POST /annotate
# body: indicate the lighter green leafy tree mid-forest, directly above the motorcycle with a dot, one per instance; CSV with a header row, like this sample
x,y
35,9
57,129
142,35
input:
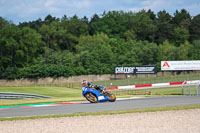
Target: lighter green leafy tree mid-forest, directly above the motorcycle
x,y
95,54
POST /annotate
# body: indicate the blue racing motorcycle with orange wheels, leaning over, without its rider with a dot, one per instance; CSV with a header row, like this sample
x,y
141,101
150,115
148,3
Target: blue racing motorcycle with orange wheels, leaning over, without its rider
x,y
94,96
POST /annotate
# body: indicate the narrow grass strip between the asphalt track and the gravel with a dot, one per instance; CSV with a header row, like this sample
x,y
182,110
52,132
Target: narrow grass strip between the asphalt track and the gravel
x,y
170,108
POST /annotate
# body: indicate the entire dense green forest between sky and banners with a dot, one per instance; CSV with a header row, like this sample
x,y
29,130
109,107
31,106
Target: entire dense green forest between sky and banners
x,y
68,46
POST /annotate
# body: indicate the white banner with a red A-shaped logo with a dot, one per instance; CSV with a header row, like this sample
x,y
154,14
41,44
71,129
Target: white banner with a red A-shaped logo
x,y
180,65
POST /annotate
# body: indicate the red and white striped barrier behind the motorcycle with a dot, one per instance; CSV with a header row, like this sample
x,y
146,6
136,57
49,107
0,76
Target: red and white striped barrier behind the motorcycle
x,y
152,85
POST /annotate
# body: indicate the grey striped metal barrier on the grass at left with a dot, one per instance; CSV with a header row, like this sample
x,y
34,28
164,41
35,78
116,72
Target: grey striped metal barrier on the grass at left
x,y
10,96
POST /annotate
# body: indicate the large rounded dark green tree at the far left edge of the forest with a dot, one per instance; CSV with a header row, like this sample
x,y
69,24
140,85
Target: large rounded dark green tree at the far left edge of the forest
x,y
18,47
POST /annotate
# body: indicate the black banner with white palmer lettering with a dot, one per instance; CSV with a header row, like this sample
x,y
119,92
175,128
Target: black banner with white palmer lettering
x,y
135,69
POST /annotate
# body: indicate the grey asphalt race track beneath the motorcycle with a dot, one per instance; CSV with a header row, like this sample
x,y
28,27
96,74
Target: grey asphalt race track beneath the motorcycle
x,y
139,103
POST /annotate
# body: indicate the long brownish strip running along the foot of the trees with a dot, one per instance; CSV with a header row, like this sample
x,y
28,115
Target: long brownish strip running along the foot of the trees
x,y
91,78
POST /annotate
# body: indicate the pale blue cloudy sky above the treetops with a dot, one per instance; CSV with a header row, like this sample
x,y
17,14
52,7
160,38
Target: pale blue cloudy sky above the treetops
x,y
29,10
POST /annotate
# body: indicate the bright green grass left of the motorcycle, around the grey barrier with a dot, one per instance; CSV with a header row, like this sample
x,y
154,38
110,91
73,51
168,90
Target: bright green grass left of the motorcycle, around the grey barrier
x,y
58,94
